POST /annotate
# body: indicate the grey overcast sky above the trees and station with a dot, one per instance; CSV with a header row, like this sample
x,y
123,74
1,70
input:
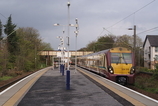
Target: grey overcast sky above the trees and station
x,y
116,16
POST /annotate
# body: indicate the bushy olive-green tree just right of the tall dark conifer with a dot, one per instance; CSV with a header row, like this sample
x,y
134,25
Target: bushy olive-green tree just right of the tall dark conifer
x,y
30,46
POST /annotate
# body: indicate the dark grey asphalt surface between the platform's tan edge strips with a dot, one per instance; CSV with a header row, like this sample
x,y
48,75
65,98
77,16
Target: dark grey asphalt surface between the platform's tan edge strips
x,y
50,90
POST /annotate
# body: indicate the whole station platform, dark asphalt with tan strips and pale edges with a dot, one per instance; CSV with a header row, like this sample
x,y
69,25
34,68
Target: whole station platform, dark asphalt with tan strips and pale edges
x,y
47,87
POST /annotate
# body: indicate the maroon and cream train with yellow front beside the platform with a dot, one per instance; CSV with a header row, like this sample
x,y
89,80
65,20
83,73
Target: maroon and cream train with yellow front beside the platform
x,y
117,64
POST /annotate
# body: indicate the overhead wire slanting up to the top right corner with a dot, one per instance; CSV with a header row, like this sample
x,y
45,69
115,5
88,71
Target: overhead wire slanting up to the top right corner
x,y
130,14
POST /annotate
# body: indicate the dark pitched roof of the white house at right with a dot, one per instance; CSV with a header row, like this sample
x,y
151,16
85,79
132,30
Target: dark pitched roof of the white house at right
x,y
153,40
